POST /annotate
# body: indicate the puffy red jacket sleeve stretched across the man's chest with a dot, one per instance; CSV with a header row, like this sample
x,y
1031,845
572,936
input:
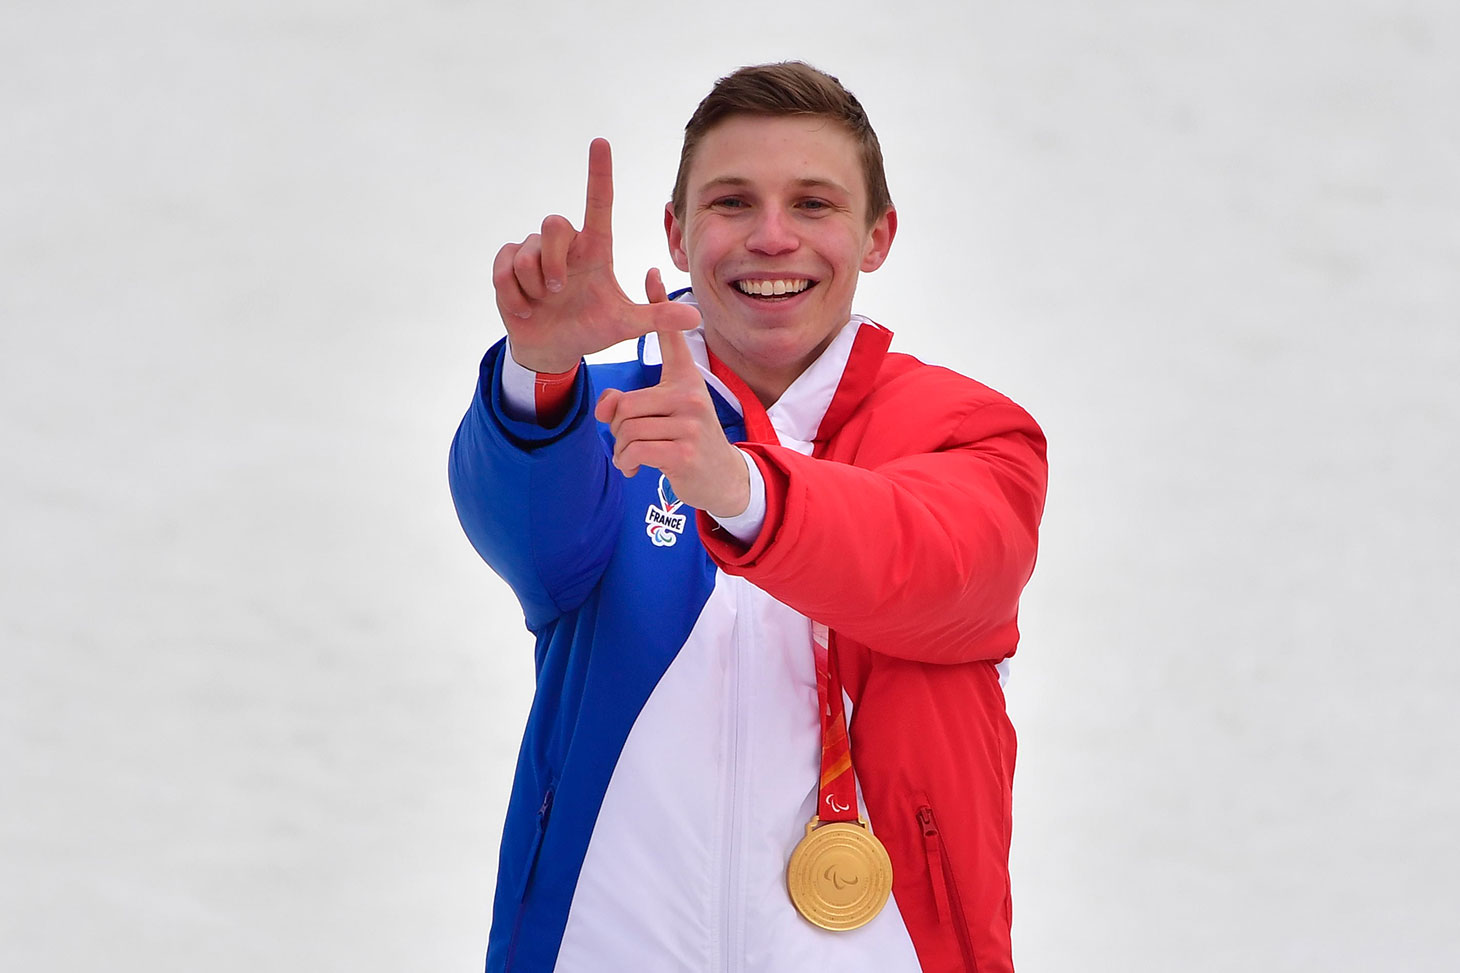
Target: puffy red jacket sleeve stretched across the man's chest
x,y
921,550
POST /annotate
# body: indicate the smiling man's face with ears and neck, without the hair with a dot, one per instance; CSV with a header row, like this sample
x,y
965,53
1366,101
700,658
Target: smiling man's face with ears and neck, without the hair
x,y
780,202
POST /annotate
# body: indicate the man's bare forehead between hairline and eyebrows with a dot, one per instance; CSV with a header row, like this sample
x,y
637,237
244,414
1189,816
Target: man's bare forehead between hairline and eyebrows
x,y
773,151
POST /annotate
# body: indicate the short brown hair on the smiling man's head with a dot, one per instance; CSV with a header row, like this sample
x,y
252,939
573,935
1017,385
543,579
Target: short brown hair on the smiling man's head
x,y
786,88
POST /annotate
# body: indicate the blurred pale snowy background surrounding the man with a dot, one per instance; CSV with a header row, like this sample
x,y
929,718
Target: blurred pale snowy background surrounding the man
x,y
259,699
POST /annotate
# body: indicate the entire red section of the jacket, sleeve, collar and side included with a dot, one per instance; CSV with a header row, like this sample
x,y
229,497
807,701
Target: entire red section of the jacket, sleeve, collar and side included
x,y
912,534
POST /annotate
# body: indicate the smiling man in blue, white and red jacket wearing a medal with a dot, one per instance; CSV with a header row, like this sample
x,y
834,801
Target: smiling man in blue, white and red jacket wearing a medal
x,y
718,546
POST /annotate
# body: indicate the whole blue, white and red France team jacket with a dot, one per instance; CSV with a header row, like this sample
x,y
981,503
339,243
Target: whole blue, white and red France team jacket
x,y
672,752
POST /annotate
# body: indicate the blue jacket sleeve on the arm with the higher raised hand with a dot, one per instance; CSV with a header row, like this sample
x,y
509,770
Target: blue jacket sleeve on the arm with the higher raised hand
x,y
538,503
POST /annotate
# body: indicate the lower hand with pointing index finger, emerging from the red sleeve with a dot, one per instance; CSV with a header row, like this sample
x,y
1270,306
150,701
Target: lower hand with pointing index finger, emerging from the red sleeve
x,y
674,429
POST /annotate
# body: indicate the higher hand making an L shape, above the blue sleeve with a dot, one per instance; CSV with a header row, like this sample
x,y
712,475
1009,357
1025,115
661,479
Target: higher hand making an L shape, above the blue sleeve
x,y
557,291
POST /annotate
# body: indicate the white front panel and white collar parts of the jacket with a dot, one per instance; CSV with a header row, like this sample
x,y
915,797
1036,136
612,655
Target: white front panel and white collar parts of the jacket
x,y
716,784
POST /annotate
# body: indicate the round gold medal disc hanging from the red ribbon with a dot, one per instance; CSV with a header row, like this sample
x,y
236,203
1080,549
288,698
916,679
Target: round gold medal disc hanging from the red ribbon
x,y
839,876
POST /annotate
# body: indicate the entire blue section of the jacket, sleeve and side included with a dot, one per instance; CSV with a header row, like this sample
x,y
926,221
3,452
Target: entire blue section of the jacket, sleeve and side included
x,y
610,610
